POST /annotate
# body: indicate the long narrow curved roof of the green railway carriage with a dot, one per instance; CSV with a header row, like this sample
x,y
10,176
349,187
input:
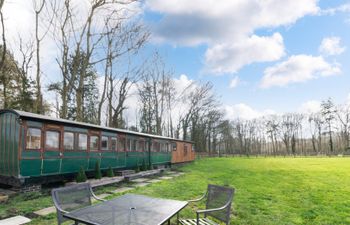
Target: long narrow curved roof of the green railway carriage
x,y
28,115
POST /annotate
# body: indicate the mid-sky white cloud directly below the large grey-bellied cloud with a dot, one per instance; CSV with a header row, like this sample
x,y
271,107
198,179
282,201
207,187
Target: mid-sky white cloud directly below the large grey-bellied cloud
x,y
230,57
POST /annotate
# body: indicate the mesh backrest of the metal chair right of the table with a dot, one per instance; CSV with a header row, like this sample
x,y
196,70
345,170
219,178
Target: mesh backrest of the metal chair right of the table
x,y
217,197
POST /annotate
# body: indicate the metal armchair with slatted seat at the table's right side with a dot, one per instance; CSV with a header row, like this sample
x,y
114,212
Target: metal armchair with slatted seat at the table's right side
x,y
218,206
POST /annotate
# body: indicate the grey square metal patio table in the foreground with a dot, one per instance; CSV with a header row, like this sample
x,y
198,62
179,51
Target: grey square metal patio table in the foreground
x,y
129,209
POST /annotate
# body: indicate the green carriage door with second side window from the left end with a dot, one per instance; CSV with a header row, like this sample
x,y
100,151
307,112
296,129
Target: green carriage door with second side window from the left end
x,y
52,149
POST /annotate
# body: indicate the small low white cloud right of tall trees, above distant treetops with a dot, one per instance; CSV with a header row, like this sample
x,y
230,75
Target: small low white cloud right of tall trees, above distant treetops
x,y
244,111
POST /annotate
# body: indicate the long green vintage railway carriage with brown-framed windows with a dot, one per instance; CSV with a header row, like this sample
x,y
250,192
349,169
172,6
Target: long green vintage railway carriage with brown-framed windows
x,y
38,149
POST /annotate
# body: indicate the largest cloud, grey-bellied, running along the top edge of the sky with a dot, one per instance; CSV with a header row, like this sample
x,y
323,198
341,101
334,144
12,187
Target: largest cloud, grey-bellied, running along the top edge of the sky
x,y
192,22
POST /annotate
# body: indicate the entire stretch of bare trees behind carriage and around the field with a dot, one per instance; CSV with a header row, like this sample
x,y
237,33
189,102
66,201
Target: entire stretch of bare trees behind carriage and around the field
x,y
102,63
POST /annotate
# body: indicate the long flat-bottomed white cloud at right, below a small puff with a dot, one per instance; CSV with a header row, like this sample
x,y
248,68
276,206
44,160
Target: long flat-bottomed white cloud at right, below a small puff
x,y
298,69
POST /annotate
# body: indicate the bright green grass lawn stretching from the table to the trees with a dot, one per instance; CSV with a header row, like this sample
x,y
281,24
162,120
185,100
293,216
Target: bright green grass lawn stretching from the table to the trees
x,y
268,190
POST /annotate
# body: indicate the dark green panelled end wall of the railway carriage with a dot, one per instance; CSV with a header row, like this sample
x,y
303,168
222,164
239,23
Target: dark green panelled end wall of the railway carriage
x,y
9,138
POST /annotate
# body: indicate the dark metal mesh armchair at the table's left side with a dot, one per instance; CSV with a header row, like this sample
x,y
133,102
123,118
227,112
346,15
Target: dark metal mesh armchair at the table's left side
x,y
72,197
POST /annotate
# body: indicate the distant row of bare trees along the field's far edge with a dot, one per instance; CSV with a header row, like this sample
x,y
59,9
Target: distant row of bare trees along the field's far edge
x,y
325,132
